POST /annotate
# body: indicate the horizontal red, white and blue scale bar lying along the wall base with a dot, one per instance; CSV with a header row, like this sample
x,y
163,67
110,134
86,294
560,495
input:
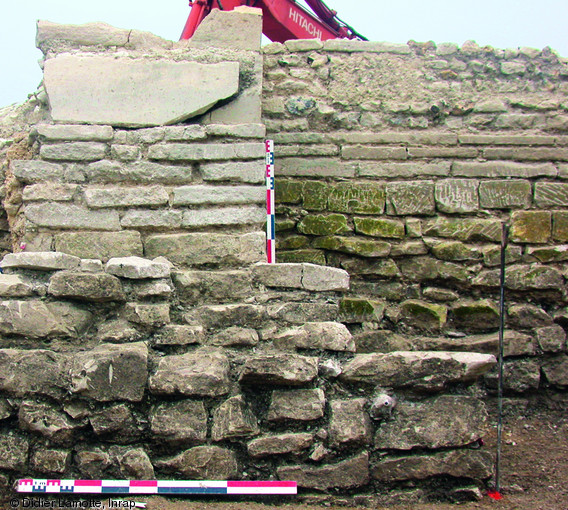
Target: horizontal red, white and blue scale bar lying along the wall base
x,y
44,486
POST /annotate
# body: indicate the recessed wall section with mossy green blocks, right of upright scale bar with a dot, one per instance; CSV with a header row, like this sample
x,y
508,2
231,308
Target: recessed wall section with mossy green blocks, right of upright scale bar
x,y
400,164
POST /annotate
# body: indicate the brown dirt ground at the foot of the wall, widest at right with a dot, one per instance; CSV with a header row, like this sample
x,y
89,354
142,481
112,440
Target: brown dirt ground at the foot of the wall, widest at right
x,y
534,471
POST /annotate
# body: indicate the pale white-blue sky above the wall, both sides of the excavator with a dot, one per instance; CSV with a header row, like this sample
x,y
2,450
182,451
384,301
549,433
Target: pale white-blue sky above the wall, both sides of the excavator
x,y
499,23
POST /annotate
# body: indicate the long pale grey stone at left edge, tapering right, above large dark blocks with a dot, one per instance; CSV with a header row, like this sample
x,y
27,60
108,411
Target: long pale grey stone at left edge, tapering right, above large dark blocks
x,y
38,319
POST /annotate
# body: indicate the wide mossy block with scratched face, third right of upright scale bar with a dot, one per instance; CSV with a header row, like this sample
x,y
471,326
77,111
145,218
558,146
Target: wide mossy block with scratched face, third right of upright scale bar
x,y
361,198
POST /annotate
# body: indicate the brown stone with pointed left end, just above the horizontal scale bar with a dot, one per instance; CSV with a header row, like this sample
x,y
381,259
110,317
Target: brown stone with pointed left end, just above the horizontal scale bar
x,y
203,463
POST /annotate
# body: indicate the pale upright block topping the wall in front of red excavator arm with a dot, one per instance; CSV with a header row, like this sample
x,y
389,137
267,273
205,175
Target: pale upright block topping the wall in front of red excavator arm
x,y
239,29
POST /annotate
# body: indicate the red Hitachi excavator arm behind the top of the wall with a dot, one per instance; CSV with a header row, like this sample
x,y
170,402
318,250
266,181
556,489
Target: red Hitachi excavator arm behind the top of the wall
x,y
282,19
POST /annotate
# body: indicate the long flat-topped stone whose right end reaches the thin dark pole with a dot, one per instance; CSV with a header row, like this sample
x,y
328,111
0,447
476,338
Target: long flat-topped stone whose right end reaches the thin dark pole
x,y
421,369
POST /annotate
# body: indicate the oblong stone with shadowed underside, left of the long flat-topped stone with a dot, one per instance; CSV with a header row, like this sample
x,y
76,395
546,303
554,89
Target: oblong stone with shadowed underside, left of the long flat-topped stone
x,y
278,368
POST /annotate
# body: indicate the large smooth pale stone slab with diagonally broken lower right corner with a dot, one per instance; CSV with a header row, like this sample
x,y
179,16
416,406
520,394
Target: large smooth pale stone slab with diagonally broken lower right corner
x,y
134,93
